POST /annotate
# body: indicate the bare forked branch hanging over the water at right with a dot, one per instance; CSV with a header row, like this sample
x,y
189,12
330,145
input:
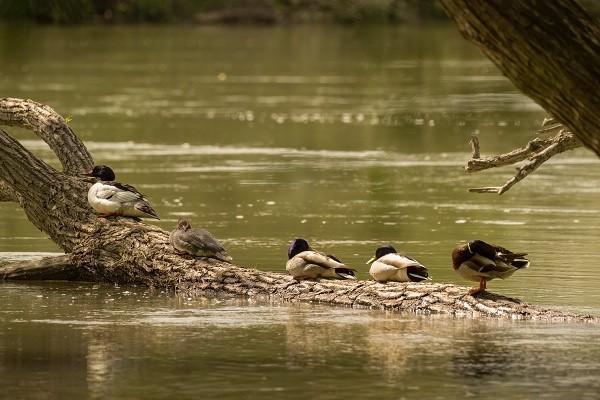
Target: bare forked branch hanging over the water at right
x,y
536,152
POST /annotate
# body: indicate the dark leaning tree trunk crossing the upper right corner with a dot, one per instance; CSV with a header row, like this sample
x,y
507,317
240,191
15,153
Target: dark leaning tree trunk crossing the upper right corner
x,y
550,50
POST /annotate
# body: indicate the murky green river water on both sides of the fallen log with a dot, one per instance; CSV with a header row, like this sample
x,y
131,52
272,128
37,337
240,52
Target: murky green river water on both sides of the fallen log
x,y
347,136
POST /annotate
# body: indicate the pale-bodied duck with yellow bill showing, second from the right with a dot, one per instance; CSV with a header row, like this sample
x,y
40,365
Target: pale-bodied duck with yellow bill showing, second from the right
x,y
388,265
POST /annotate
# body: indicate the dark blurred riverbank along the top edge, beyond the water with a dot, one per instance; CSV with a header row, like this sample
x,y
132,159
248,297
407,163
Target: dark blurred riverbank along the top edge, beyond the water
x,y
222,11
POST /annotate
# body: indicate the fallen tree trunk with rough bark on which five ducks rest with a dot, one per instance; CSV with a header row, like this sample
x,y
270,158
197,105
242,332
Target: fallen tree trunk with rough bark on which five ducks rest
x,y
126,251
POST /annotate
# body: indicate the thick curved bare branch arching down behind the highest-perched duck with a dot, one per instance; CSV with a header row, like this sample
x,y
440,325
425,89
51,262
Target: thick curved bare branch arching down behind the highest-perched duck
x,y
51,128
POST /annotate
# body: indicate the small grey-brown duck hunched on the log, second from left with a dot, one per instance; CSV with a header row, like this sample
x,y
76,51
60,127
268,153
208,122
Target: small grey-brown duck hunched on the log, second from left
x,y
197,242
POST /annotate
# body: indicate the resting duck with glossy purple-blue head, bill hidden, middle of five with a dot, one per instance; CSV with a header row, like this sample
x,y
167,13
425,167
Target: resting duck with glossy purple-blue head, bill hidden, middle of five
x,y
306,263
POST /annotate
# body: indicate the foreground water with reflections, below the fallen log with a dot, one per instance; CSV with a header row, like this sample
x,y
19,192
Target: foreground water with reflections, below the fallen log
x,y
103,341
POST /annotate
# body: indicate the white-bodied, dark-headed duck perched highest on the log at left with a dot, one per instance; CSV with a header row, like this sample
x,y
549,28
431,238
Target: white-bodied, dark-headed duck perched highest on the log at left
x,y
113,198
